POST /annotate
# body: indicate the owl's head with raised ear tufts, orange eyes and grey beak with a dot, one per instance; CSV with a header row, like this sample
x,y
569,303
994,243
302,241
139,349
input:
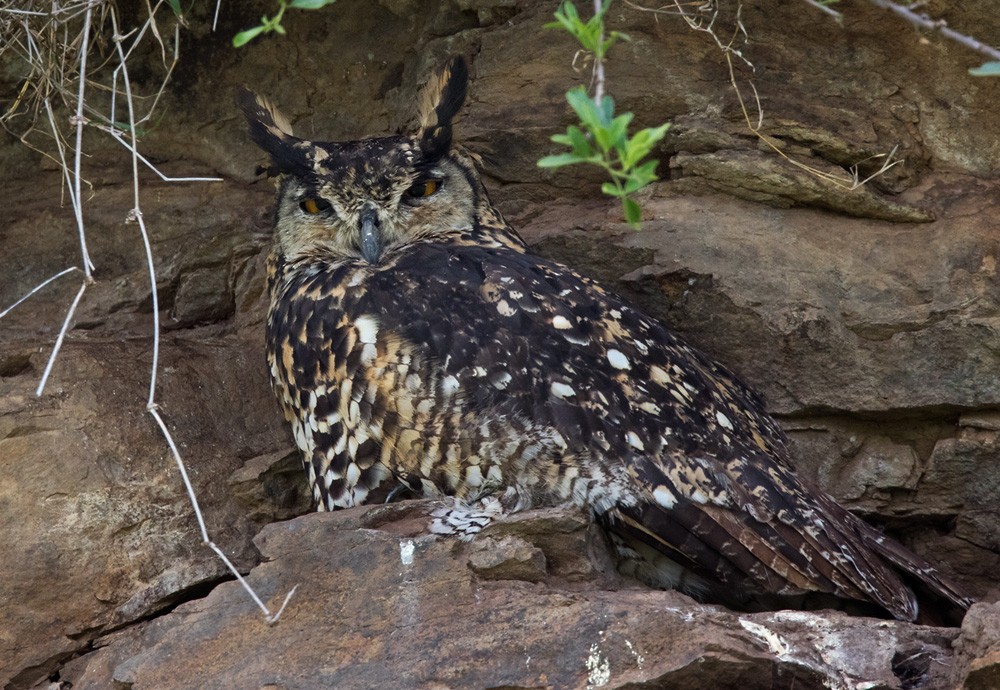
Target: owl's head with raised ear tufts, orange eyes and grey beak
x,y
360,199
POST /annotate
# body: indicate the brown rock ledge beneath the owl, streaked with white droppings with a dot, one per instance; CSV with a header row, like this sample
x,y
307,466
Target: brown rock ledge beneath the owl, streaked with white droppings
x,y
376,610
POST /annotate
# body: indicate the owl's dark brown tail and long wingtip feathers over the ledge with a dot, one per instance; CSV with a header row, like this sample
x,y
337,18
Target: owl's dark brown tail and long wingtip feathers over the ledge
x,y
831,552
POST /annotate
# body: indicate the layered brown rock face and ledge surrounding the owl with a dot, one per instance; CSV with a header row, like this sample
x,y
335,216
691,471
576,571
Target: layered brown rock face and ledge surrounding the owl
x,y
868,318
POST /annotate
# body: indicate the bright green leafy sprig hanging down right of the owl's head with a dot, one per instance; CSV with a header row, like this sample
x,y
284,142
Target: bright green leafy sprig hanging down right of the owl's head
x,y
601,138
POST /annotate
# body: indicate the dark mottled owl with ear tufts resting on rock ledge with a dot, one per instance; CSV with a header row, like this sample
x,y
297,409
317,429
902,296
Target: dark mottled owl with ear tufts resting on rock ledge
x,y
415,343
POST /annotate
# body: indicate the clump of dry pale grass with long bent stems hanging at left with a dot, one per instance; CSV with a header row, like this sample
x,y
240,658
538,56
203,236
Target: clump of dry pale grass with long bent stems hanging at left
x,y
56,46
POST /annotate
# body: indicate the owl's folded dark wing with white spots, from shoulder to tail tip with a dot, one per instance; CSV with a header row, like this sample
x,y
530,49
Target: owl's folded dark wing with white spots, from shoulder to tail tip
x,y
710,483
